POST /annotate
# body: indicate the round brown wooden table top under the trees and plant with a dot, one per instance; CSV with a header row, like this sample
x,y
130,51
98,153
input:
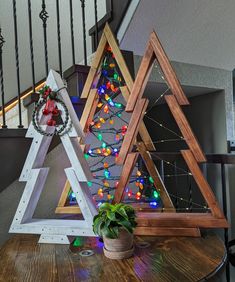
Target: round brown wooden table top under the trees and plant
x,y
161,259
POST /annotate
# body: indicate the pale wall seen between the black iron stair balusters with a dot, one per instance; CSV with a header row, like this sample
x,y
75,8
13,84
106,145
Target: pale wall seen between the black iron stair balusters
x,y
6,22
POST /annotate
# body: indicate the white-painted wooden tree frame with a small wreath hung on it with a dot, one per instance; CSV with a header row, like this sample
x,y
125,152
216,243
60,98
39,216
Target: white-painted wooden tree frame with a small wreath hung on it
x,y
55,230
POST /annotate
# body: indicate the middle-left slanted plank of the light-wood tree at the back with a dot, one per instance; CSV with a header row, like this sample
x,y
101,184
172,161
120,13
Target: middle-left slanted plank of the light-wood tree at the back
x,y
89,110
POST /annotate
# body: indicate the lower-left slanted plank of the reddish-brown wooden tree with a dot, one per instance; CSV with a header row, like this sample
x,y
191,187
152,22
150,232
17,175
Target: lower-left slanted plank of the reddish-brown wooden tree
x,y
125,177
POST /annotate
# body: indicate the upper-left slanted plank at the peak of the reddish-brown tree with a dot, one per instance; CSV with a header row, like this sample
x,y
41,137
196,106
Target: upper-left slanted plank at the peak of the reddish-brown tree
x,y
141,78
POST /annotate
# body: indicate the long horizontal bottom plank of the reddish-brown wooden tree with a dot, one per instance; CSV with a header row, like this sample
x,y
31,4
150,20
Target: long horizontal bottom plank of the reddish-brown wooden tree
x,y
180,220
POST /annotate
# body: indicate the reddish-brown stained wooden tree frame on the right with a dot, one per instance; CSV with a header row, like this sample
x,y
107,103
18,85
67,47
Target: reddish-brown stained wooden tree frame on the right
x,y
161,223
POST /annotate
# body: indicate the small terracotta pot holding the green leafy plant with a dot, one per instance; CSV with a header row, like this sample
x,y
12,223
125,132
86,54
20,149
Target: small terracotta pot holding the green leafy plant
x,y
119,248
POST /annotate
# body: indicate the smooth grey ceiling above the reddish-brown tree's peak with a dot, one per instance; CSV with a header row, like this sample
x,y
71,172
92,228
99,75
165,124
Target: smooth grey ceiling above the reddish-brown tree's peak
x,y
200,32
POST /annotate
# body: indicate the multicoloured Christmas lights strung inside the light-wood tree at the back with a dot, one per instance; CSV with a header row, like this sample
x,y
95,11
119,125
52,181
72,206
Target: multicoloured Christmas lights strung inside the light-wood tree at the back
x,y
109,112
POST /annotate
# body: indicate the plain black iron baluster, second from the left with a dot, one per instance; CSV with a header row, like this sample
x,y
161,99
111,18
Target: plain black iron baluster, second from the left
x,y
17,62
